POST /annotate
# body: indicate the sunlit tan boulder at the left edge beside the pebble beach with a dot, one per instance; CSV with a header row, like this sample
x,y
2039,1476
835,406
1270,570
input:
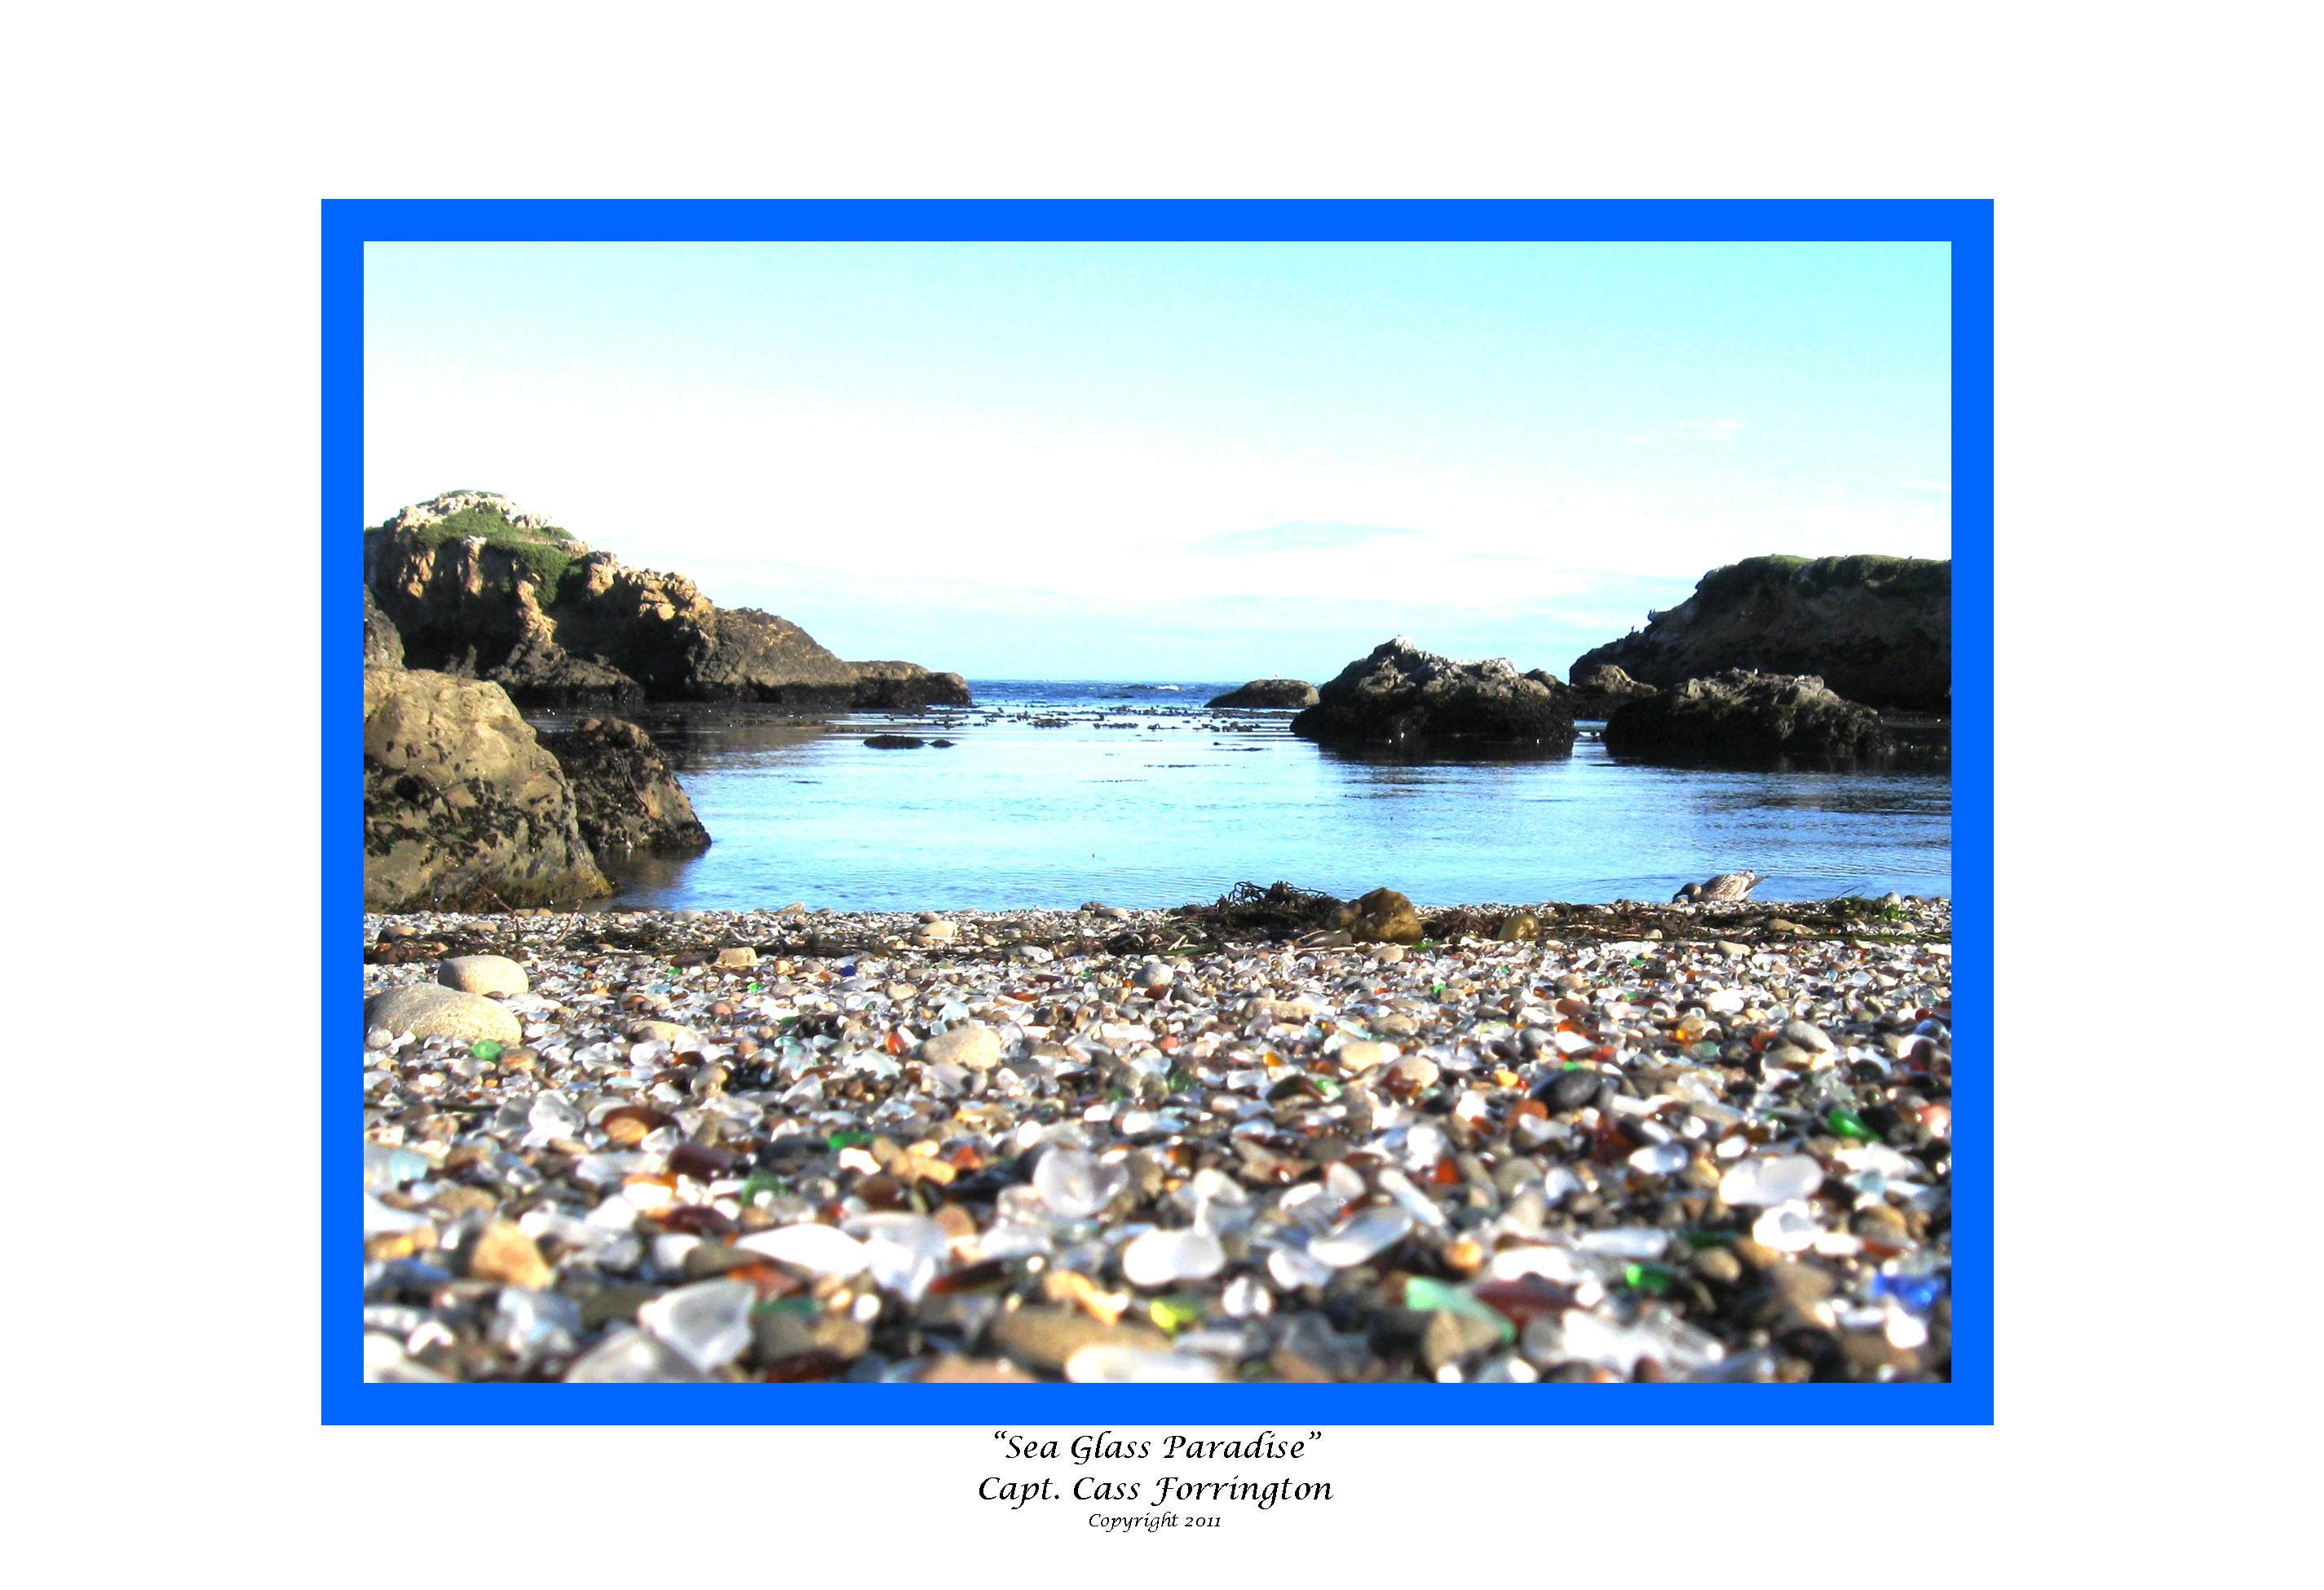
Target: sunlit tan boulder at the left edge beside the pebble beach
x,y
461,803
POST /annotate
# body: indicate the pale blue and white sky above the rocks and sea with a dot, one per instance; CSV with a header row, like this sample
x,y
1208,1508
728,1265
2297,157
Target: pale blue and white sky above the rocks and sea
x,y
1177,461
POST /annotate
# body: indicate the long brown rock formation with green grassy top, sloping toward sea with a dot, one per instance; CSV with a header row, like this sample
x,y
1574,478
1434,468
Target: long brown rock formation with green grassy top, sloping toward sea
x,y
478,587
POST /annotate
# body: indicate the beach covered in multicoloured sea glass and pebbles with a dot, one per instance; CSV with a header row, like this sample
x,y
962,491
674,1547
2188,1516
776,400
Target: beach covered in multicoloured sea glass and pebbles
x,y
1656,1143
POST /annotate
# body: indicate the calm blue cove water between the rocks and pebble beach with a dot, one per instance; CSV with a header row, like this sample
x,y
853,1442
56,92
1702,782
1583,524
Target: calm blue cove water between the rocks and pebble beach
x,y
1147,798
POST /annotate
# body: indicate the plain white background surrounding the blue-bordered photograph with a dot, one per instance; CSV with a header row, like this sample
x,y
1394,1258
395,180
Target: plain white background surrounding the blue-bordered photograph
x,y
2156,508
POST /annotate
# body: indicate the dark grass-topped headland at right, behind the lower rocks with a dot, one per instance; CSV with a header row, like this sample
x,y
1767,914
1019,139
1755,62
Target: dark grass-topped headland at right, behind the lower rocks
x,y
1879,631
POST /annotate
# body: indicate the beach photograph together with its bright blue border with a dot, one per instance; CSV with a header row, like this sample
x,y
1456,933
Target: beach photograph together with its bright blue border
x,y
1191,989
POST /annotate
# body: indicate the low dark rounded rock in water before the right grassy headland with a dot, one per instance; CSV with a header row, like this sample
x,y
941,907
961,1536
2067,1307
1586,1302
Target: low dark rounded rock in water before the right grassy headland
x,y
1742,719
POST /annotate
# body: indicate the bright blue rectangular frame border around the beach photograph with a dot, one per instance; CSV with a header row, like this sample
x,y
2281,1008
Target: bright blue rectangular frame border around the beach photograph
x,y
1965,224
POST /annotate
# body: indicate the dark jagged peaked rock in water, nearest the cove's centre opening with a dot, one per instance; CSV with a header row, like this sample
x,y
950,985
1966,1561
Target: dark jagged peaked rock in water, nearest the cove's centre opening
x,y
1414,701
